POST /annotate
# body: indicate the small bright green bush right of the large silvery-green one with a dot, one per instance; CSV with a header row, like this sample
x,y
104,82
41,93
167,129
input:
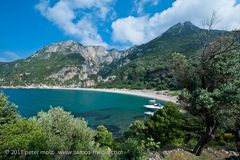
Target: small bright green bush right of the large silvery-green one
x,y
103,137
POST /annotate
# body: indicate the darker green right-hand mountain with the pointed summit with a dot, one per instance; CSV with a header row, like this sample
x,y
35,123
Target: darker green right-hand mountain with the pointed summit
x,y
146,66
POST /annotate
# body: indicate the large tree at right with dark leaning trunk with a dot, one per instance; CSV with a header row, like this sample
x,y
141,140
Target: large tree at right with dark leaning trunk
x,y
211,81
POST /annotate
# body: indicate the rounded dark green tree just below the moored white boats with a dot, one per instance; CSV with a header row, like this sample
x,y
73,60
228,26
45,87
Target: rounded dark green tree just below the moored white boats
x,y
167,126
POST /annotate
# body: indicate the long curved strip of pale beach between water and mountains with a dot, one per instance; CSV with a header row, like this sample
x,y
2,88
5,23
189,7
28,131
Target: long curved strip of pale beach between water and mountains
x,y
159,95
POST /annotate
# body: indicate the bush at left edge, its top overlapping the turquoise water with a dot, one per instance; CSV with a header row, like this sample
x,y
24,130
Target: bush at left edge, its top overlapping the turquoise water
x,y
8,111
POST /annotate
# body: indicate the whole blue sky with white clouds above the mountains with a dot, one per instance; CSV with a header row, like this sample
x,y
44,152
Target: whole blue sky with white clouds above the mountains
x,y
28,25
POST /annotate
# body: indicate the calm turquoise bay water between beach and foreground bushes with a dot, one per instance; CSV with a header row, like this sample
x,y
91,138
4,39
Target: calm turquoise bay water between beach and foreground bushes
x,y
115,111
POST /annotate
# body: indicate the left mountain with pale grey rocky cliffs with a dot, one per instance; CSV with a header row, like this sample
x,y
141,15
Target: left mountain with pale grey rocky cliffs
x,y
64,63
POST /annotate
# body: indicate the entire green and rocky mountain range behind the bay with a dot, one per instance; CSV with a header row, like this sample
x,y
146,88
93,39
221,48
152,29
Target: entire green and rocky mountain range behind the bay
x,y
72,64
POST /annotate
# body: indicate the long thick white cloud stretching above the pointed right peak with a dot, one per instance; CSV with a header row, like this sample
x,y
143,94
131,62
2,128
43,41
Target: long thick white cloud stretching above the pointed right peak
x,y
137,30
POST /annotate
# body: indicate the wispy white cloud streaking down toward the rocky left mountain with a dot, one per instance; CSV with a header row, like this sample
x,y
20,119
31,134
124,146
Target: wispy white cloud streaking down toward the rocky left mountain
x,y
70,16
